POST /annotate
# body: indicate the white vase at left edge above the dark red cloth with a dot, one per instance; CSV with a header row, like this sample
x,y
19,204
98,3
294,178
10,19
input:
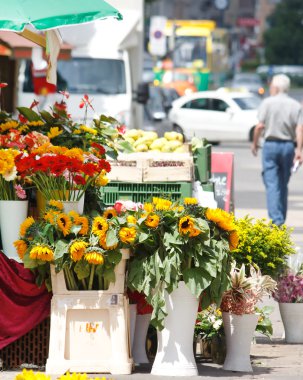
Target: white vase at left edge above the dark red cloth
x,y
12,214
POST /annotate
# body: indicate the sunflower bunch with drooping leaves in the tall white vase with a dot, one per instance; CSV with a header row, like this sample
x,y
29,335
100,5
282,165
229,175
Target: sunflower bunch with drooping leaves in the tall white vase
x,y
181,241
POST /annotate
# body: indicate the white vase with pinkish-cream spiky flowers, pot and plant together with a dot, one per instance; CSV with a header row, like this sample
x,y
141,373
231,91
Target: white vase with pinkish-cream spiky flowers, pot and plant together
x,y
239,315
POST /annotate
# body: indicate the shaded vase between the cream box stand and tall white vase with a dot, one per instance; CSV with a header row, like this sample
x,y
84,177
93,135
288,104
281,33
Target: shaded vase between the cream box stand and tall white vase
x,y
139,344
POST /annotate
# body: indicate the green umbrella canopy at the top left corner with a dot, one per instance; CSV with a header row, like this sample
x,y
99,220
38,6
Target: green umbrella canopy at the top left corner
x,y
15,15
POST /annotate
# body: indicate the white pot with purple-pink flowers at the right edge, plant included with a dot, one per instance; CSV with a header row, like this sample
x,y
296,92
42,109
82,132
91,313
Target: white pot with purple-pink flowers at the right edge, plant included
x,y
289,294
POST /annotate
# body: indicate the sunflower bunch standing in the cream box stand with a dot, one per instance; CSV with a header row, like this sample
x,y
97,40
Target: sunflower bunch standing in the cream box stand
x,y
86,248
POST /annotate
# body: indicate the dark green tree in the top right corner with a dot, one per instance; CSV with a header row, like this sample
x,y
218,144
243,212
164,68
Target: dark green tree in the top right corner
x,y
284,39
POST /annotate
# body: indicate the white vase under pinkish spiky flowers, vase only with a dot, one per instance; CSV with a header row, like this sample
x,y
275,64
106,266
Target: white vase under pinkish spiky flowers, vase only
x,y
239,331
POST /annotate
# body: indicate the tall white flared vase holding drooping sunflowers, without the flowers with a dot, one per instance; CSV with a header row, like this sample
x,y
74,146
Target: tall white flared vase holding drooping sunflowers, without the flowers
x,y
175,356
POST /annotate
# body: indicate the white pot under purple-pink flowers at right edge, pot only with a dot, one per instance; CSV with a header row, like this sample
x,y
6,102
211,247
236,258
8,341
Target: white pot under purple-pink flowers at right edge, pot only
x,y
292,318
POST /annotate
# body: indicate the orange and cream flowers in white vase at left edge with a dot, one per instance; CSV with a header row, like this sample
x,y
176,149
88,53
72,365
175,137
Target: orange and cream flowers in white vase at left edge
x,y
10,185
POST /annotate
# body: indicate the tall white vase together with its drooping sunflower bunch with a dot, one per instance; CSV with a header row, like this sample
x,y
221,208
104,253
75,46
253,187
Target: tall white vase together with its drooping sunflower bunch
x,y
182,255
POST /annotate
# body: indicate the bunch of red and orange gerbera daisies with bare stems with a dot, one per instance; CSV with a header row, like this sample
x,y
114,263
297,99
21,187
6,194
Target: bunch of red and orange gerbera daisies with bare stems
x,y
58,171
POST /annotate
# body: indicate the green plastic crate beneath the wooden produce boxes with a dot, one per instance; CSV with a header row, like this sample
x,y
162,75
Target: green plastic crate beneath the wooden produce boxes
x,y
143,192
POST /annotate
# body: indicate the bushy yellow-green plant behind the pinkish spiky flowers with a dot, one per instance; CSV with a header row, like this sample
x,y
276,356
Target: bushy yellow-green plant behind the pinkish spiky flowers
x,y
264,245
